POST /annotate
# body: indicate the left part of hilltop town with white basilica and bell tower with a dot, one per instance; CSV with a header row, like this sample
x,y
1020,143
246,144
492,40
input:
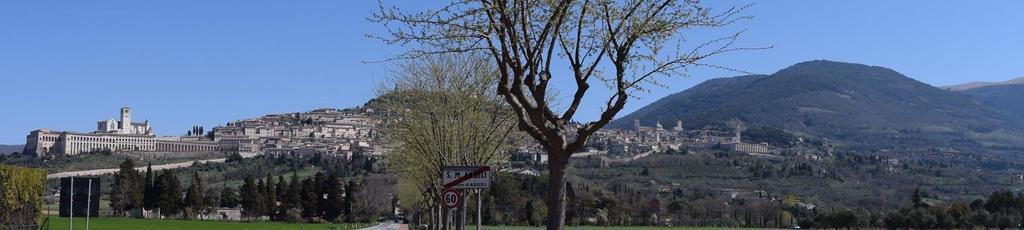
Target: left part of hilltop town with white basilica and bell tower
x,y
323,131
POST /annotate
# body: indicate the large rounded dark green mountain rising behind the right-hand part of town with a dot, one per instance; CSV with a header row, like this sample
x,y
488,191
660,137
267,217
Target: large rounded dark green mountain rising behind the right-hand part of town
x,y
846,103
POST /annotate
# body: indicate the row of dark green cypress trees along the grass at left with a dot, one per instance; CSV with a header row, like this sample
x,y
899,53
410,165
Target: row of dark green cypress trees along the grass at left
x,y
322,198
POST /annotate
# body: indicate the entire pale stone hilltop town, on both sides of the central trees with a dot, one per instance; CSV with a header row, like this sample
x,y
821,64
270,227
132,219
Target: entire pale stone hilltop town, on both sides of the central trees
x,y
357,131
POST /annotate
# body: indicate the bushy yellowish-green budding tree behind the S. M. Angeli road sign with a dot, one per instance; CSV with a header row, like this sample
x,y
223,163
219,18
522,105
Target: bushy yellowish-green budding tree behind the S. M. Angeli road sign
x,y
442,112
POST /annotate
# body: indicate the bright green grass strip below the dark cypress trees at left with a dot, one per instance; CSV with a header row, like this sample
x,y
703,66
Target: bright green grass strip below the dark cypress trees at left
x,y
57,223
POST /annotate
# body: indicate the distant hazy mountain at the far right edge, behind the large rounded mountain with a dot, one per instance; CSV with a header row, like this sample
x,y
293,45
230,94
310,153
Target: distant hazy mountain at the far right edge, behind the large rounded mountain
x,y
1006,98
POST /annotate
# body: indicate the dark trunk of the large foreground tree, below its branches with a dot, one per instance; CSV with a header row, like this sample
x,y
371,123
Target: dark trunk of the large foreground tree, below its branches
x,y
557,194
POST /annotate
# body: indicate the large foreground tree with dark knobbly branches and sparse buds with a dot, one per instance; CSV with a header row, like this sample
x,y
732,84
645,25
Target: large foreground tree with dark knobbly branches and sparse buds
x,y
624,44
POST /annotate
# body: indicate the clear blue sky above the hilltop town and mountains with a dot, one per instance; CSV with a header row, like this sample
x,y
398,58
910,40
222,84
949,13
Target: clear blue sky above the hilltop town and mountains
x,y
66,65
